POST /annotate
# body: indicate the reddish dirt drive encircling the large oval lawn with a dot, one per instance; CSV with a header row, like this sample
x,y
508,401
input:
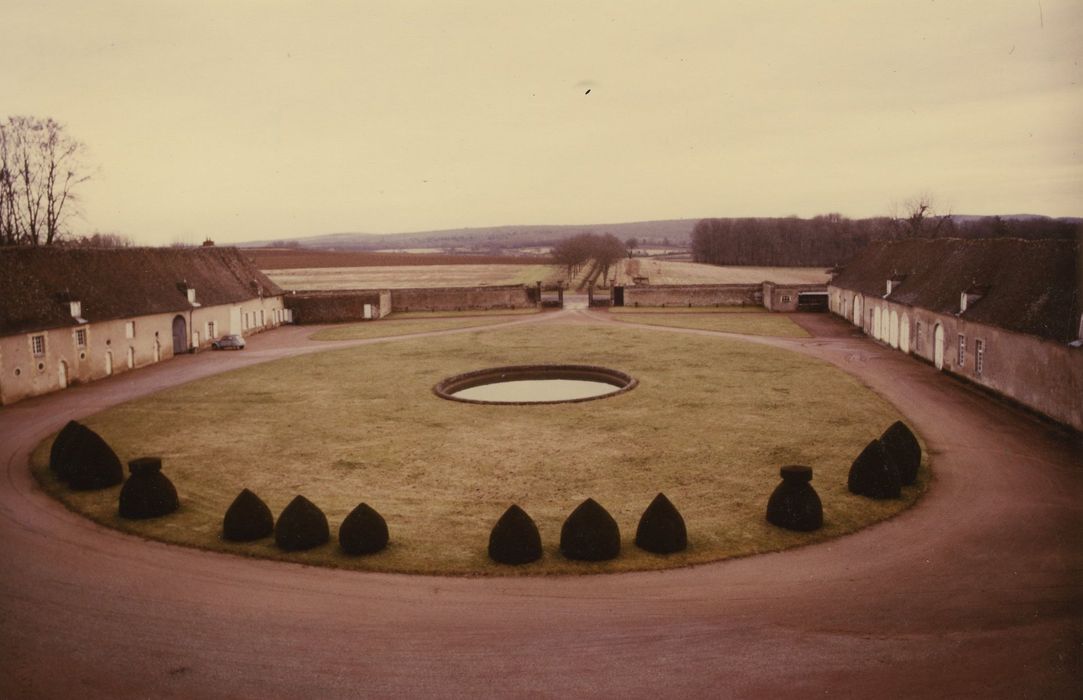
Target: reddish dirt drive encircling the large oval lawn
x,y
977,591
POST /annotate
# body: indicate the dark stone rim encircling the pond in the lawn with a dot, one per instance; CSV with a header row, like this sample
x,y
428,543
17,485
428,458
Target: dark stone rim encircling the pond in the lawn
x,y
448,388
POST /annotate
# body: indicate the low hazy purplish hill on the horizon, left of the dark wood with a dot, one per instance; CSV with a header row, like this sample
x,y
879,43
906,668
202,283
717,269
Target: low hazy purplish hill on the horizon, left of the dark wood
x,y
675,232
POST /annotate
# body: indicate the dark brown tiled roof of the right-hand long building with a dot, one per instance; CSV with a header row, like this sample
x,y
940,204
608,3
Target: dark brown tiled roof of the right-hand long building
x,y
1027,287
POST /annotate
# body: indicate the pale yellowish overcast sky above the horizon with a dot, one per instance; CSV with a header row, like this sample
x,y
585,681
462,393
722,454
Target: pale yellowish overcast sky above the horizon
x,y
255,120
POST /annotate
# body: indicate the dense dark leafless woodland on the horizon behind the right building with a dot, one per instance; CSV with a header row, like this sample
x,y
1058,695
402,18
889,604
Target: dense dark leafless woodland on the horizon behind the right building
x,y
832,240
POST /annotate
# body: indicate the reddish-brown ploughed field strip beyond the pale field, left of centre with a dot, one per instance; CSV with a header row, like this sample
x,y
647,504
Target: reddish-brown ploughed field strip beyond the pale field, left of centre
x,y
297,258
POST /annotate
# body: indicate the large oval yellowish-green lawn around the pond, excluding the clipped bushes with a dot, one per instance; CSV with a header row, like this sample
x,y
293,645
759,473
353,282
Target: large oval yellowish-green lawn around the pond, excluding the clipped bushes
x,y
710,424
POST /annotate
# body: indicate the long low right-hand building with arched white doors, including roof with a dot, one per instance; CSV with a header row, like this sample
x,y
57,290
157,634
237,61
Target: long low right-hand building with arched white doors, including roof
x,y
1002,314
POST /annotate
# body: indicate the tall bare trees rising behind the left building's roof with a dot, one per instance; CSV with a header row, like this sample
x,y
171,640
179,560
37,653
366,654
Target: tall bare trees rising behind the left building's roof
x,y
41,167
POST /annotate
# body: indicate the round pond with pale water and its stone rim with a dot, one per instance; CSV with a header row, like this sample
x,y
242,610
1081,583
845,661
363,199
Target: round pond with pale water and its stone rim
x,y
536,384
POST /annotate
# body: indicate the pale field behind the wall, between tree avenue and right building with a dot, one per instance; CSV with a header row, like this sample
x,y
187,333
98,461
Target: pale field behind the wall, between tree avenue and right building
x,y
669,273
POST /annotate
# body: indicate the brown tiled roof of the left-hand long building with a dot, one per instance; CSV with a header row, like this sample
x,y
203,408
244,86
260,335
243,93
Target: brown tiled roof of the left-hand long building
x,y
37,283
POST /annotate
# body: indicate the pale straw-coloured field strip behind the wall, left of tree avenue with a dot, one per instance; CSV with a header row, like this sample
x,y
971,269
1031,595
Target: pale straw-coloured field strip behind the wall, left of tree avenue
x,y
408,277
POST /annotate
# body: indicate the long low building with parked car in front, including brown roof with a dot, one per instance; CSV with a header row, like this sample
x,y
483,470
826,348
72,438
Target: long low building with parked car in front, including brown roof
x,y
79,315
